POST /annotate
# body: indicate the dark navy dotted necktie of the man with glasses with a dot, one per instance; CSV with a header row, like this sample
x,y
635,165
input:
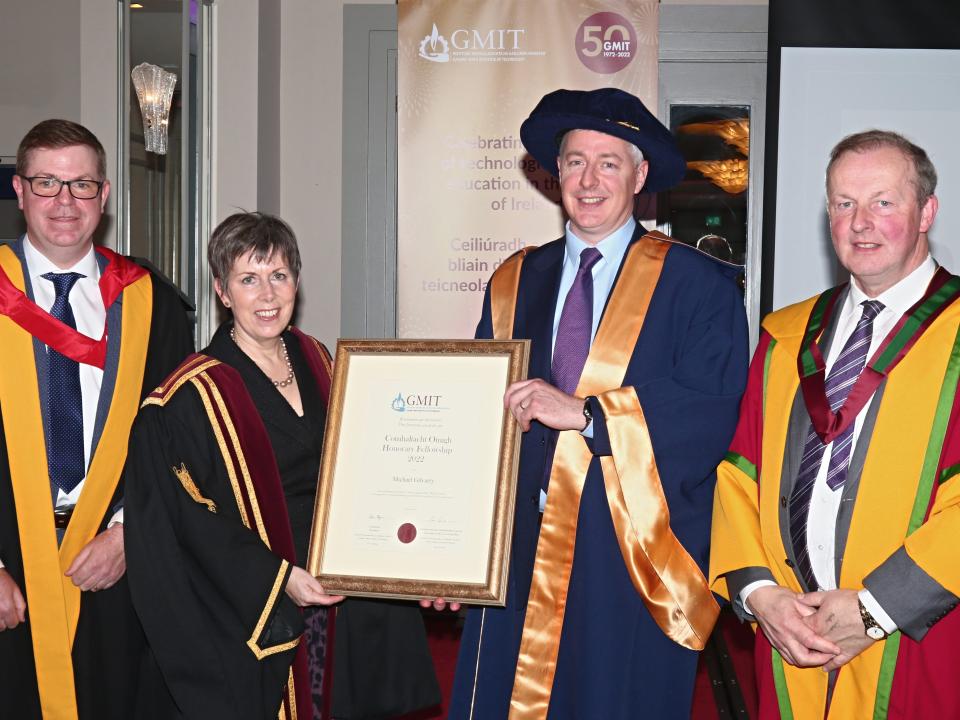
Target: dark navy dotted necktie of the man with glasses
x,y
65,459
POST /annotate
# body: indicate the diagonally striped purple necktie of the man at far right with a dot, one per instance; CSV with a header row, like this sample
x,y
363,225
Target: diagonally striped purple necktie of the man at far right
x,y
843,375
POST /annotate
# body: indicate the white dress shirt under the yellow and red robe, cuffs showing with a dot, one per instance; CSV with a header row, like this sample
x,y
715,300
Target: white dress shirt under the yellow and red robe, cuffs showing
x,y
824,502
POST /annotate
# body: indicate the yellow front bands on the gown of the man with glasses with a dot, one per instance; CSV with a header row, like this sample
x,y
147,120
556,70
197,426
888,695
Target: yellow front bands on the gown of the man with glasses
x,y
53,601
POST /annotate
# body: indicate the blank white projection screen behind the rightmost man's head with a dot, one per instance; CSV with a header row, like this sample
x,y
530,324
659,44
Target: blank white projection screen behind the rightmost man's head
x,y
828,93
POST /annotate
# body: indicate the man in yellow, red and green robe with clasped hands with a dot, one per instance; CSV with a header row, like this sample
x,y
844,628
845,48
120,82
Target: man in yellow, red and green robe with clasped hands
x,y
856,608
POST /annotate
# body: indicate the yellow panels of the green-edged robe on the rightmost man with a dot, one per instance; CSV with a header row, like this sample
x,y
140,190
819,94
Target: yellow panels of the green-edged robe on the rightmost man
x,y
887,492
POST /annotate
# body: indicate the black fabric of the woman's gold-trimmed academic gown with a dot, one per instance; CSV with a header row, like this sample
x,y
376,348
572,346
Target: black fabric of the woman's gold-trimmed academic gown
x,y
199,578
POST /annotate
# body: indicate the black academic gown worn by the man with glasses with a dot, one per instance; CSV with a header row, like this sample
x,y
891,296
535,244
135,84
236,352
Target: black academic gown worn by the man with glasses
x,y
109,640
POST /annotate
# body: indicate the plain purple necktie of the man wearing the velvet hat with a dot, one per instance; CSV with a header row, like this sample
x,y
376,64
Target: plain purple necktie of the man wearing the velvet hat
x,y
575,330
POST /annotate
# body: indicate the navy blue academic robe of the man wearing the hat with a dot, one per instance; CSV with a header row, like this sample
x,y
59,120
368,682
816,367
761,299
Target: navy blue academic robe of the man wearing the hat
x,y
689,370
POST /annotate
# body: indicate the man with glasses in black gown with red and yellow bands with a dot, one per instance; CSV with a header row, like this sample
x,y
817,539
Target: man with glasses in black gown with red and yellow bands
x,y
85,333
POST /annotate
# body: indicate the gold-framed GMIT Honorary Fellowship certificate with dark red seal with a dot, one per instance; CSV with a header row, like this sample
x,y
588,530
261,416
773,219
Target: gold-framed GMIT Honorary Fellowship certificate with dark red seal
x,y
419,470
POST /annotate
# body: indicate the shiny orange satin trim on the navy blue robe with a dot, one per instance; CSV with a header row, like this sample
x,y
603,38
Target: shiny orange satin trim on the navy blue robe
x,y
666,577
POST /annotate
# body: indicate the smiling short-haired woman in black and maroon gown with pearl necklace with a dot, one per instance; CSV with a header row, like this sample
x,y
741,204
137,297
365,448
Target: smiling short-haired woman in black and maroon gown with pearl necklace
x,y
221,482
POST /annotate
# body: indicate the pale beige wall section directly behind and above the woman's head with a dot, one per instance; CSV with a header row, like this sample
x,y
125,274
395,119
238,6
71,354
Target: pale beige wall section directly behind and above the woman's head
x,y
305,132
